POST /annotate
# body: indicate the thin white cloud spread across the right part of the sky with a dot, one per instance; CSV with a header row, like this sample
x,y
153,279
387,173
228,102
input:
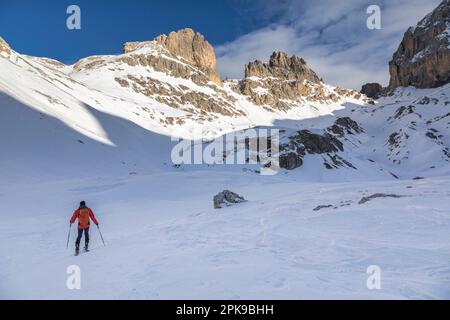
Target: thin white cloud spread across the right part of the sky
x,y
332,37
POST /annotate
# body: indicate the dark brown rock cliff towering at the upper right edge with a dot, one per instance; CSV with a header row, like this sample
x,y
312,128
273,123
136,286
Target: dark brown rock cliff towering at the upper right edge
x,y
423,57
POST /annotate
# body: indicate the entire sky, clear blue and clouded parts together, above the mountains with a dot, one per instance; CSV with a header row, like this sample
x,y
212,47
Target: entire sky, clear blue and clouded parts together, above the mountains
x,y
331,35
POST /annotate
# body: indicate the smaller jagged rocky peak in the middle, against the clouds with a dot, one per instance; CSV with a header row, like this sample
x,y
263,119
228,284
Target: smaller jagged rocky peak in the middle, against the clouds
x,y
282,66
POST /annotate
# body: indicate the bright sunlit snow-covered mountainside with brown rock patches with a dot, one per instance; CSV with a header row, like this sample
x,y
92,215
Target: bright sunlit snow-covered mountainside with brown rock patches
x,y
148,86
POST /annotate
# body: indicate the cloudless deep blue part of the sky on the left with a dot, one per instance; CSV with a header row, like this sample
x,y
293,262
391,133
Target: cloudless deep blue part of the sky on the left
x,y
39,27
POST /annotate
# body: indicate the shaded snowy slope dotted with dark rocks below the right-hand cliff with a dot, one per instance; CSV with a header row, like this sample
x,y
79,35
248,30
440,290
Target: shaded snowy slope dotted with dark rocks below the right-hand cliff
x,y
404,135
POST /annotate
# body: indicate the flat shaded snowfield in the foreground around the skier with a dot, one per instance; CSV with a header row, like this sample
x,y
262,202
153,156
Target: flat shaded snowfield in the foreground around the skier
x,y
274,246
